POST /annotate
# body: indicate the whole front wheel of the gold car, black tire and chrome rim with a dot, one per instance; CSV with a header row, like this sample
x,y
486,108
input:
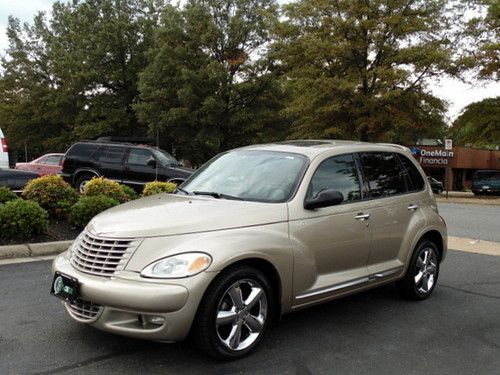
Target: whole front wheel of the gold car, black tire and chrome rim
x,y
218,337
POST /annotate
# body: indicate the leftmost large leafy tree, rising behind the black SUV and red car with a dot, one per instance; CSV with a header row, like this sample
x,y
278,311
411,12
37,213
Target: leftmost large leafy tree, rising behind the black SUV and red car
x,y
76,75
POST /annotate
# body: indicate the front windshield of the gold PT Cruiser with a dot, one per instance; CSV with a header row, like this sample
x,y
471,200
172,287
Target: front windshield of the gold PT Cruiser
x,y
253,175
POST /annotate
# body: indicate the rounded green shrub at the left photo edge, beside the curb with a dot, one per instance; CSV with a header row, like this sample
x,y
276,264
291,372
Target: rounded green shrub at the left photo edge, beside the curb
x,y
22,219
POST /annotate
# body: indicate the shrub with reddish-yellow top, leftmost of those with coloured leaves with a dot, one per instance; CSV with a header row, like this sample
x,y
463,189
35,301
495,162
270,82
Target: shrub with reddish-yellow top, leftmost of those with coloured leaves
x,y
51,193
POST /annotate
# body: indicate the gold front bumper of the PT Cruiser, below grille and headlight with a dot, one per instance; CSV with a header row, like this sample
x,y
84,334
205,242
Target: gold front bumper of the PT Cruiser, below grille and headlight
x,y
129,305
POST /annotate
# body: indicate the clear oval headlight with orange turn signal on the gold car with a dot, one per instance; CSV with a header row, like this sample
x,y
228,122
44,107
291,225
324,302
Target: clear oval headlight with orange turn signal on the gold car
x,y
177,266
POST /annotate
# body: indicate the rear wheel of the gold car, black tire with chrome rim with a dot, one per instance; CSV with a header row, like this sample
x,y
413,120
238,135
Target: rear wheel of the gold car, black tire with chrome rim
x,y
423,272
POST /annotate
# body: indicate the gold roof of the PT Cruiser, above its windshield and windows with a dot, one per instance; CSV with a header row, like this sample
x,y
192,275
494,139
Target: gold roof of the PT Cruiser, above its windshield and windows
x,y
313,148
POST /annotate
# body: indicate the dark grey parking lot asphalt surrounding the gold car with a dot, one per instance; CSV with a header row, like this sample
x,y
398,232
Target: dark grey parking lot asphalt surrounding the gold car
x,y
456,331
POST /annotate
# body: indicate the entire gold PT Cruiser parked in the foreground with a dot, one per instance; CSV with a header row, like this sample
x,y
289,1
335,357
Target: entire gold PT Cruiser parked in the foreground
x,y
255,233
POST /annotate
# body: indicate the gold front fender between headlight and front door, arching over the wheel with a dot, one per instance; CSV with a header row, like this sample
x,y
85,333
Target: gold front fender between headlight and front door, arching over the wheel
x,y
226,247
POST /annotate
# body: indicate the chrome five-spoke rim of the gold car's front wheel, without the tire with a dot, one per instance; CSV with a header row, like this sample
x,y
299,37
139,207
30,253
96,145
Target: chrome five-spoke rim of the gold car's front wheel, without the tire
x,y
241,314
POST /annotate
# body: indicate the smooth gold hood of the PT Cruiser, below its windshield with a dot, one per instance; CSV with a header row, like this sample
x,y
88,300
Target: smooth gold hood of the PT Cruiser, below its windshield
x,y
172,214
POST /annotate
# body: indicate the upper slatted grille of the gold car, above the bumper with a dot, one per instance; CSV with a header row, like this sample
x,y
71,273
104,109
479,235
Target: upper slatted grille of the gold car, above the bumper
x,y
101,256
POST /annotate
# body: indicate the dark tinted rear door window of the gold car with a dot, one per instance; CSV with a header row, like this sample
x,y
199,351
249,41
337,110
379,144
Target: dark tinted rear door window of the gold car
x,y
383,173
